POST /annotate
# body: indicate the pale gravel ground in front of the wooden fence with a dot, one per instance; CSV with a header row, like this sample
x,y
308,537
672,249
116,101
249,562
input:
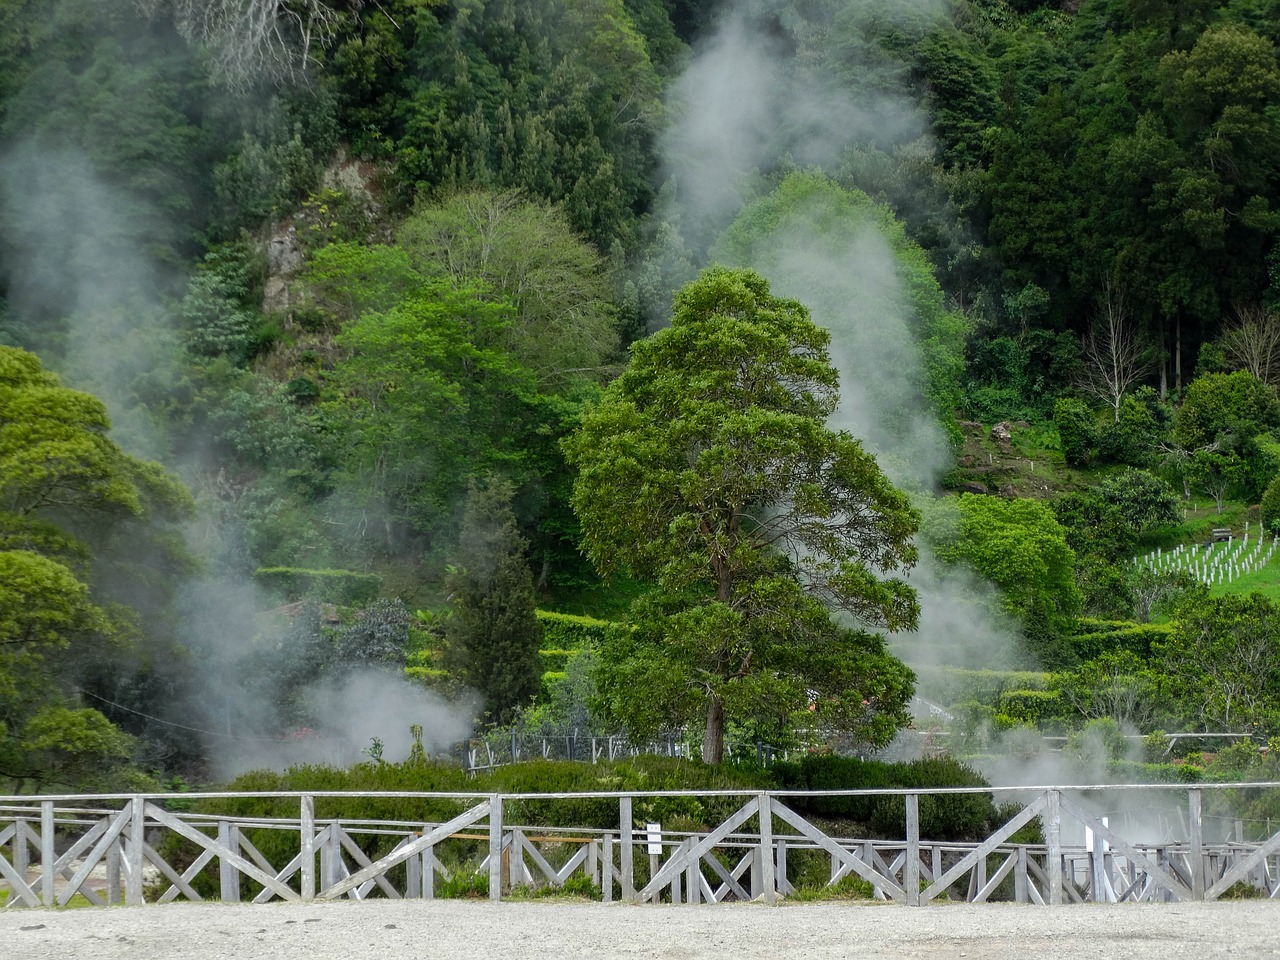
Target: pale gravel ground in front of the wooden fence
x,y
565,930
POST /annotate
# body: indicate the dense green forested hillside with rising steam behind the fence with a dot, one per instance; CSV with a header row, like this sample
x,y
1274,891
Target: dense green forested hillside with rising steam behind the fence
x,y
744,371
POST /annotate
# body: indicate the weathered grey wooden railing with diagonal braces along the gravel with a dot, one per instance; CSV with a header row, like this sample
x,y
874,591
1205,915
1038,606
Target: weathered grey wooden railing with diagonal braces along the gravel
x,y
108,851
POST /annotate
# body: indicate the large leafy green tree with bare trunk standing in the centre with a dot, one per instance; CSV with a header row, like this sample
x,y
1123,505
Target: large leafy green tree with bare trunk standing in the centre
x,y
710,470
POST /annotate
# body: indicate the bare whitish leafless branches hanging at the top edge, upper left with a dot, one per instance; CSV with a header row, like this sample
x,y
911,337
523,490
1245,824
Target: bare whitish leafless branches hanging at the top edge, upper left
x,y
248,40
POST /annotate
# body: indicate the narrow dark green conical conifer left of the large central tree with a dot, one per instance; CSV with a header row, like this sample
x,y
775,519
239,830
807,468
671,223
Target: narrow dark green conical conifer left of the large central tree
x,y
493,636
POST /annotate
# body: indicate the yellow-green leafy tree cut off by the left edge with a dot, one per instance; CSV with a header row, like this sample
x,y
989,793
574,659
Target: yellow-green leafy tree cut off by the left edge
x,y
66,492
